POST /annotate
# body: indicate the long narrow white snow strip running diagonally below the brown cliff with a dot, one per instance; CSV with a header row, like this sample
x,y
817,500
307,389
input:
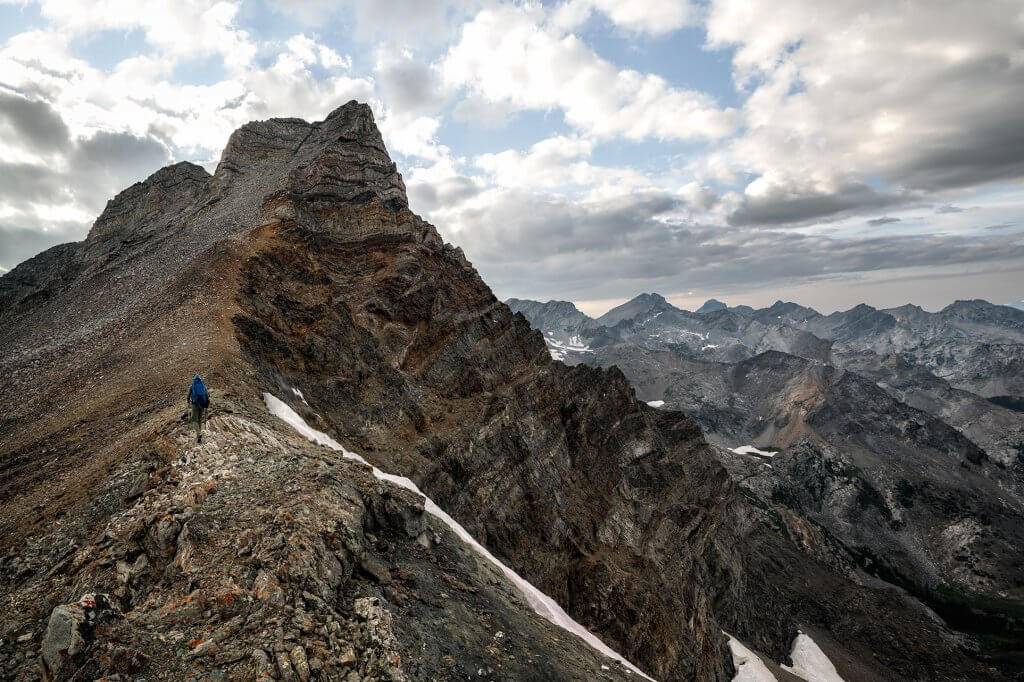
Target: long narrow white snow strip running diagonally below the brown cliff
x,y
542,605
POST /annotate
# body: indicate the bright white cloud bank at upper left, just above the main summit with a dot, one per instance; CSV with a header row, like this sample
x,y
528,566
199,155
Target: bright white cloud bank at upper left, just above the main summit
x,y
139,96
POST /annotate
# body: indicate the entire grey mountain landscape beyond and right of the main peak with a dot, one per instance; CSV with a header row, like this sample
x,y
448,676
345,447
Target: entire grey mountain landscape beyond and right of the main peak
x,y
897,435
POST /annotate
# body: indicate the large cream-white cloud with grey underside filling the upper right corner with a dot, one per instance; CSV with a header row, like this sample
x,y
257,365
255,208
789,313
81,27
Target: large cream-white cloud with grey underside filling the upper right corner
x,y
923,97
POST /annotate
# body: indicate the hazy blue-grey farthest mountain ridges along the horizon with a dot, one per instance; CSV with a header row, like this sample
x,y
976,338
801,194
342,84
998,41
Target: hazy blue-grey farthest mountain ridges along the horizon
x,y
973,346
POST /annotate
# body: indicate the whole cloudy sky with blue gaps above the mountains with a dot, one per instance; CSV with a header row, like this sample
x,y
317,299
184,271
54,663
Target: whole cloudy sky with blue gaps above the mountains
x,y
585,150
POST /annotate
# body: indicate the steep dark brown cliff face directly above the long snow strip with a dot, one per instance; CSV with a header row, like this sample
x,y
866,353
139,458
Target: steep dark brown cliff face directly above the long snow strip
x,y
401,347
